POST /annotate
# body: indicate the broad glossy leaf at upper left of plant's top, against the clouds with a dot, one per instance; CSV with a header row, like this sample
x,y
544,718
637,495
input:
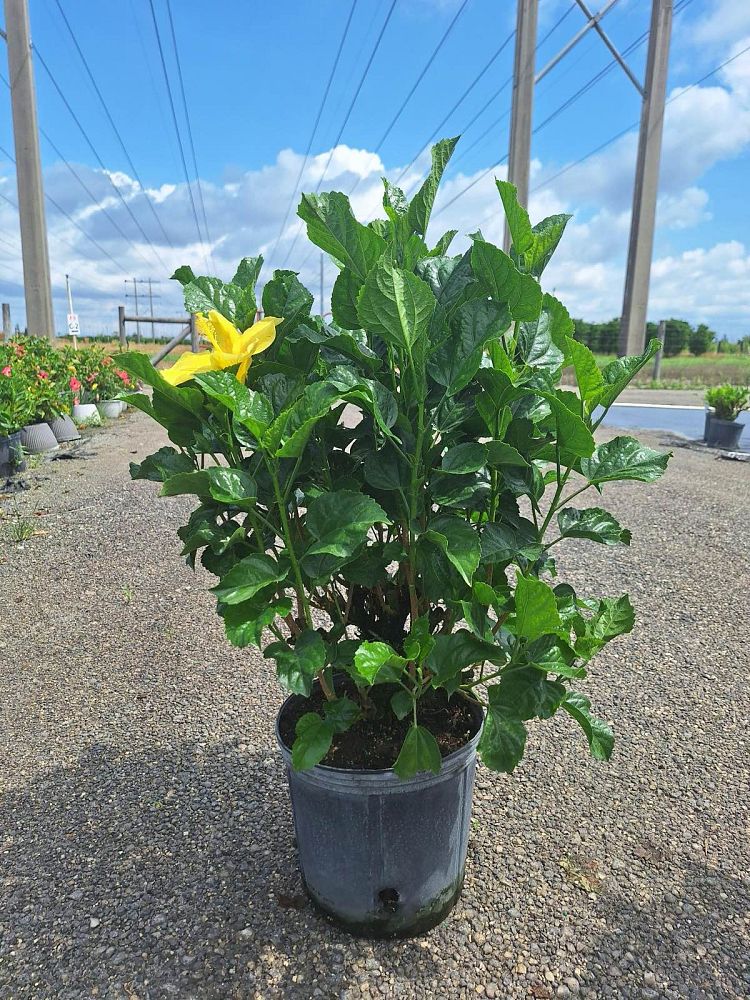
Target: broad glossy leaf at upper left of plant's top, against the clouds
x,y
332,227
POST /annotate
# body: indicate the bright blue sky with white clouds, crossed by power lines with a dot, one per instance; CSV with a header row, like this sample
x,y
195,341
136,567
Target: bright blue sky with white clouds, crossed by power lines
x,y
255,74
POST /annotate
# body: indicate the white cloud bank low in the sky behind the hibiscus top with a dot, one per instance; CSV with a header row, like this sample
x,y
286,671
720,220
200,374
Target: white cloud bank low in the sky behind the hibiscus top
x,y
706,125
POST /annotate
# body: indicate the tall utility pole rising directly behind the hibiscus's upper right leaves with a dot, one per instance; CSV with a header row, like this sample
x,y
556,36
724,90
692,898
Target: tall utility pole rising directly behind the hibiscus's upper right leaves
x,y
519,153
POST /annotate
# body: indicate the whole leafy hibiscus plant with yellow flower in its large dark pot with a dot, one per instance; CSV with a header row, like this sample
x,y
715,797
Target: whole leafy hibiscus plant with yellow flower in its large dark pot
x,y
380,497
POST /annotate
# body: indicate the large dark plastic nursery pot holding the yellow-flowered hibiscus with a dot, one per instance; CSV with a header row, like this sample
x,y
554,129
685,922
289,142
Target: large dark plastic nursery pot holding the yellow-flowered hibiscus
x,y
381,856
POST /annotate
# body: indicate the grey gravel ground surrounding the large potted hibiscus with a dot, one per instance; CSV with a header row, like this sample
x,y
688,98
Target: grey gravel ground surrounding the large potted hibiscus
x,y
146,837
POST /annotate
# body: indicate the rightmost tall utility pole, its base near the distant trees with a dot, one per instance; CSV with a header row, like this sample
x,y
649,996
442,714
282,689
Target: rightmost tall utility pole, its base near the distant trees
x,y
643,219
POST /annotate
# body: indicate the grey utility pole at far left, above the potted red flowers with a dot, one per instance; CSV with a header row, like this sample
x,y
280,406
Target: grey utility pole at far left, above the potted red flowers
x,y
36,276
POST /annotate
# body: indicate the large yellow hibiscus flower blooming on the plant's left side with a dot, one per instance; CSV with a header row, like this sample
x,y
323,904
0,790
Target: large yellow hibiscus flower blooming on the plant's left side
x,y
229,347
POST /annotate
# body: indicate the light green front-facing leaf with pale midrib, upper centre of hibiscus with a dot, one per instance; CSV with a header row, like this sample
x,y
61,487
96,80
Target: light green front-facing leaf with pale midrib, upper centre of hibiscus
x,y
396,305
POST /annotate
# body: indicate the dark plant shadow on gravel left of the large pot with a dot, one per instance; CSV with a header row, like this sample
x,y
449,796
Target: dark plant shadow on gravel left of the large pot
x,y
163,873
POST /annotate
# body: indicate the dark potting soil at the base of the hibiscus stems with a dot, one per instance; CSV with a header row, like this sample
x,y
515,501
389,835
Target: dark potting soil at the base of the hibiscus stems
x,y
374,743
